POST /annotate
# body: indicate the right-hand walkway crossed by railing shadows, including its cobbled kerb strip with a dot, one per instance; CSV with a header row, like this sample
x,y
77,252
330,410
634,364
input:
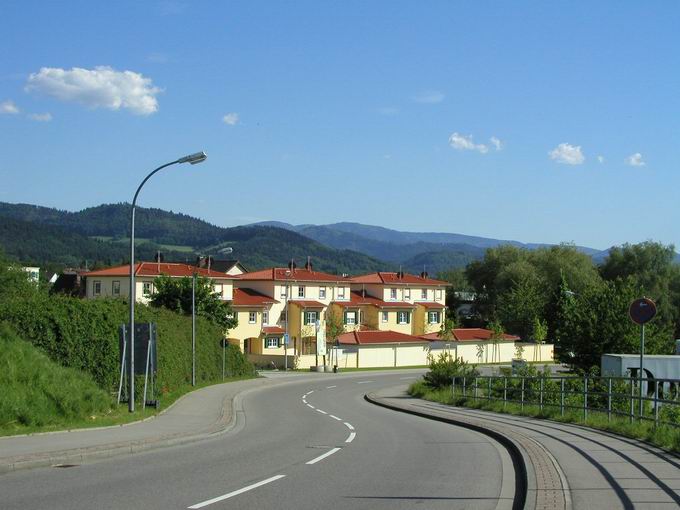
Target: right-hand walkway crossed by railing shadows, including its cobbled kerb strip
x,y
569,466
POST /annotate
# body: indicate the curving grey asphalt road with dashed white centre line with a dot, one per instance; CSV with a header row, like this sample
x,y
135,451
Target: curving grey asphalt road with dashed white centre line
x,y
304,444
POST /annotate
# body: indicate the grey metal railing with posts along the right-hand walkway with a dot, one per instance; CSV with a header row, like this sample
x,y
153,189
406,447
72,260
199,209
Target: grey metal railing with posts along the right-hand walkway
x,y
613,396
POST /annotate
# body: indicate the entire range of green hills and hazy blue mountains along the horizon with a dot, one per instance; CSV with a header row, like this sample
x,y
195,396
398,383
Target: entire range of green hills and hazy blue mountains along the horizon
x,y
43,235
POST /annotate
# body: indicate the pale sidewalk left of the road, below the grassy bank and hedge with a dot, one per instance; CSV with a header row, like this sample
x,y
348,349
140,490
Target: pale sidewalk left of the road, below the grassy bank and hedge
x,y
195,416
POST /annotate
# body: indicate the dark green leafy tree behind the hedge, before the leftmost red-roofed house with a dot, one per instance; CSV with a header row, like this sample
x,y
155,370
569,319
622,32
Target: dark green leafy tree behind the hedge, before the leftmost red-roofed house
x,y
175,294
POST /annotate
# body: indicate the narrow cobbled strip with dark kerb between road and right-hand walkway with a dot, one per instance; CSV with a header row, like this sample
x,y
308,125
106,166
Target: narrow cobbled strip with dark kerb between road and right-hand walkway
x,y
539,484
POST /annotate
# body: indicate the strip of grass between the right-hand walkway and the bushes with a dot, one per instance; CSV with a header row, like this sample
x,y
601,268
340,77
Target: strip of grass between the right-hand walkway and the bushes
x,y
662,436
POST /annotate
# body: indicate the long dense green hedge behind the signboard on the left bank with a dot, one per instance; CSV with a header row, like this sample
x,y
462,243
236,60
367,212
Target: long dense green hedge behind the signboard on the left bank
x,y
83,334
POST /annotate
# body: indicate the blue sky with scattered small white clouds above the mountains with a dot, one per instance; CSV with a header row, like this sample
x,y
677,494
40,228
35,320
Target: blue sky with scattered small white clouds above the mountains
x,y
534,121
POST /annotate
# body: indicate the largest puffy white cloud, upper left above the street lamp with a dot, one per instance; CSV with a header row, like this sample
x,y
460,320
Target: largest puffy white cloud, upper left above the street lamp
x,y
101,87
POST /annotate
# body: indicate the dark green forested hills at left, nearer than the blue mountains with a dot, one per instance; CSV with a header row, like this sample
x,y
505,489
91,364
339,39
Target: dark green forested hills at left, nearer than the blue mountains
x,y
41,235
